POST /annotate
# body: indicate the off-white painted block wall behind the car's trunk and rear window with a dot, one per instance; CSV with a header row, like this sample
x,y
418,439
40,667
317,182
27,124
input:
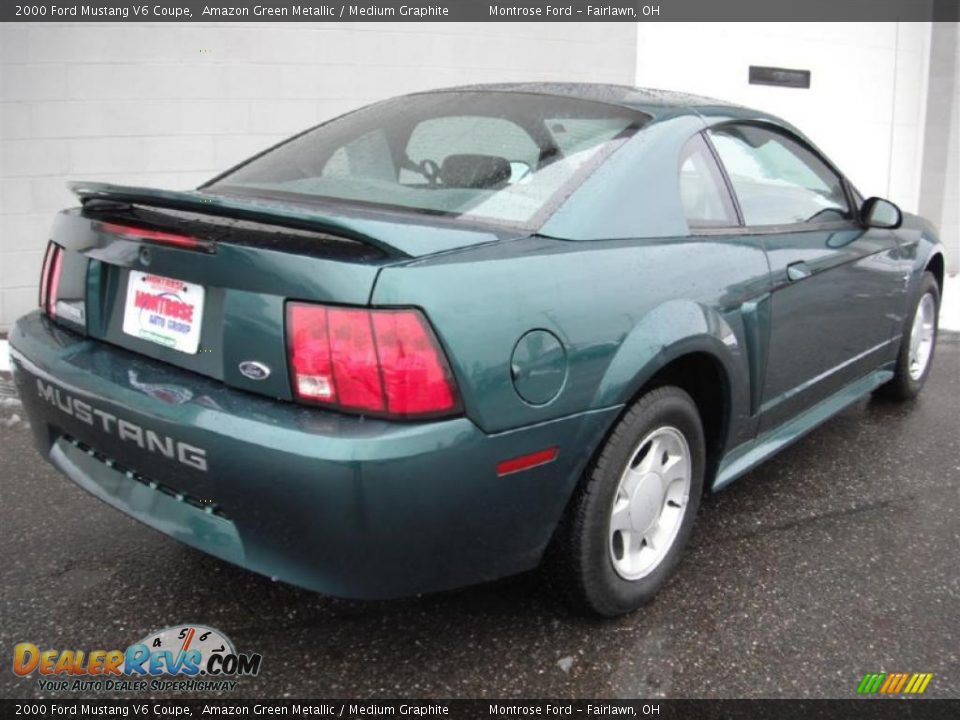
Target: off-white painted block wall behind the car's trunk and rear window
x,y
171,105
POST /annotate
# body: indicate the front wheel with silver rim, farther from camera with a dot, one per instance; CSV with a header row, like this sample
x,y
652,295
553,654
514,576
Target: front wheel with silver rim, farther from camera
x,y
922,324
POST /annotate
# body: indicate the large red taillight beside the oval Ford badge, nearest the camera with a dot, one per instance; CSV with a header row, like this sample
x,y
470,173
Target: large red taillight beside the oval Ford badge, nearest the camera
x,y
381,362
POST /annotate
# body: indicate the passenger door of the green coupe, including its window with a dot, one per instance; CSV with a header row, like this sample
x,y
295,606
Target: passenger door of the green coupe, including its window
x,y
835,286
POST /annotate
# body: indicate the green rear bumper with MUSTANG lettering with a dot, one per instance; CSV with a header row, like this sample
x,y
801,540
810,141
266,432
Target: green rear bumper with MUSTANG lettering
x,y
348,506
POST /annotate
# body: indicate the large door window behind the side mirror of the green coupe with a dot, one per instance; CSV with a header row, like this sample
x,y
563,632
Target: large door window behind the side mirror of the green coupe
x,y
777,180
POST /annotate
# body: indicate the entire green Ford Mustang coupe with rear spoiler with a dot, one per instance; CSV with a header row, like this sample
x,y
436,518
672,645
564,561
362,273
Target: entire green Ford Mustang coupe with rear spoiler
x,y
452,336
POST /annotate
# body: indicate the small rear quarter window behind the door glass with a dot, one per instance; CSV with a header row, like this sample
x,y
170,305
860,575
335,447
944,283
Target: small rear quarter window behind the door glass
x,y
706,202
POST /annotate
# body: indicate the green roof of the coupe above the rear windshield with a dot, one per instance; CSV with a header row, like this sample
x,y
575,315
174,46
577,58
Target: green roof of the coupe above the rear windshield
x,y
654,102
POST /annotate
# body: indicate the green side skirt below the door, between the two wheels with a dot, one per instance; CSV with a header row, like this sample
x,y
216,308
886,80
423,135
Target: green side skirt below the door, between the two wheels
x,y
752,453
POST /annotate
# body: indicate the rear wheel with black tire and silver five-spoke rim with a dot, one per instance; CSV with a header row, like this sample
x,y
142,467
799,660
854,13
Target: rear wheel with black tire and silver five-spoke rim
x,y
594,571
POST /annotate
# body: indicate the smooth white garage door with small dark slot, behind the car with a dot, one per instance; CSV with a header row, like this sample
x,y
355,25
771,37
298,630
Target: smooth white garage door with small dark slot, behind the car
x,y
865,104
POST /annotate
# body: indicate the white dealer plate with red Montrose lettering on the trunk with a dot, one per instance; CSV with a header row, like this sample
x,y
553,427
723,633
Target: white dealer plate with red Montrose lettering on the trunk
x,y
163,310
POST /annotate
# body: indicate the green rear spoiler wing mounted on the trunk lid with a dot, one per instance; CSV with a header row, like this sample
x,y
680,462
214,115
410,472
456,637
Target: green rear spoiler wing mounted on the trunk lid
x,y
255,210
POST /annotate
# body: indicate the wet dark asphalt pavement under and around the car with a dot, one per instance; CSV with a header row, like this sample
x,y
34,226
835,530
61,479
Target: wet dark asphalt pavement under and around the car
x,y
837,558
